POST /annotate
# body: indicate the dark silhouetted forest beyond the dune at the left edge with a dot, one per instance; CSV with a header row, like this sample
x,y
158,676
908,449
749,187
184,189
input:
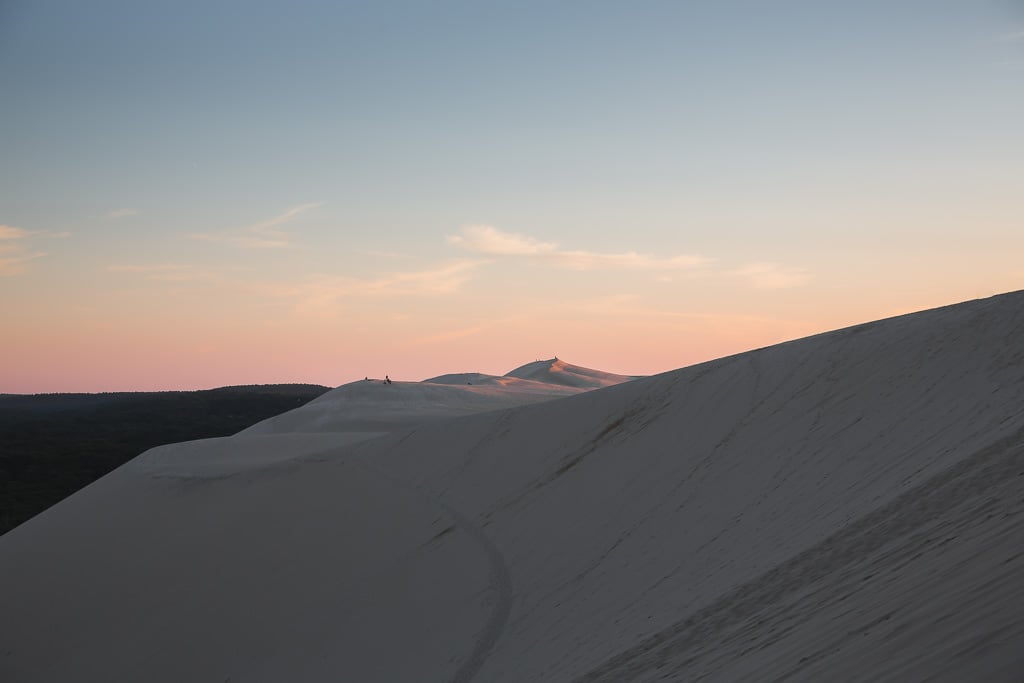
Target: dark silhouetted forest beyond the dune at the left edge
x,y
54,445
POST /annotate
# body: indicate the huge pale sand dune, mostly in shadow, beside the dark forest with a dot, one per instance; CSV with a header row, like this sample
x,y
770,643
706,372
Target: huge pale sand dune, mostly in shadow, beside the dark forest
x,y
846,506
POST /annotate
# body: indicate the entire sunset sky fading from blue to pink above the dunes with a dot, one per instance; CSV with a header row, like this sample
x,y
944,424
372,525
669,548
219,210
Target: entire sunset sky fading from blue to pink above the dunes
x,y
202,194
